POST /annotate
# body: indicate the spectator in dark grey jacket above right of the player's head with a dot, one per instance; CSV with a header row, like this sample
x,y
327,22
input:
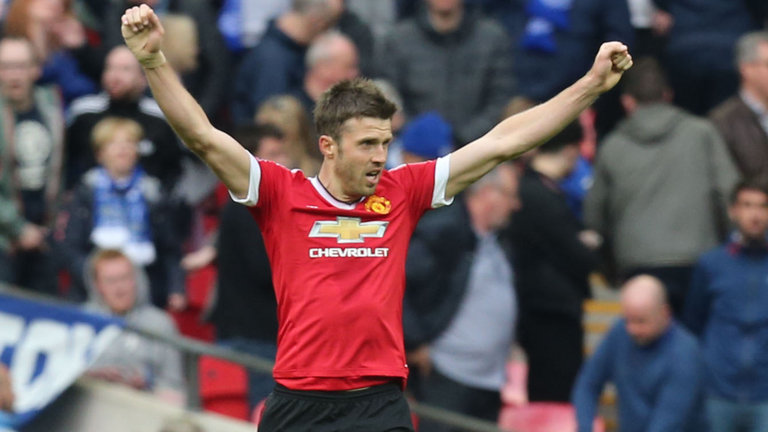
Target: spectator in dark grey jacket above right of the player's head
x,y
451,61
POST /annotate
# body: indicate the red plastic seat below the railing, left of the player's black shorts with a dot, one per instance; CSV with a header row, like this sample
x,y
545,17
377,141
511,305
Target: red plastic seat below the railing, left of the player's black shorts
x,y
224,388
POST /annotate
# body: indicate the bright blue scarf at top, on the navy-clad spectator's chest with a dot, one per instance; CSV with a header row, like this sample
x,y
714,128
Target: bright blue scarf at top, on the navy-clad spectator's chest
x,y
545,17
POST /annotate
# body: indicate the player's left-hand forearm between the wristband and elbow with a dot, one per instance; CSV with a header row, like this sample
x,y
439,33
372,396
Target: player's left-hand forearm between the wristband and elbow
x,y
181,110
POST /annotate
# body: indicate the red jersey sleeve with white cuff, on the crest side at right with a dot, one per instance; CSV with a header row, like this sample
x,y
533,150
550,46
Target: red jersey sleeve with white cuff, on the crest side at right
x,y
426,183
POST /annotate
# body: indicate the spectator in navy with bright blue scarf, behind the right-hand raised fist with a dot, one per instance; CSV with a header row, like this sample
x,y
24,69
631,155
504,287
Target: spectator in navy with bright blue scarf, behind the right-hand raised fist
x,y
552,42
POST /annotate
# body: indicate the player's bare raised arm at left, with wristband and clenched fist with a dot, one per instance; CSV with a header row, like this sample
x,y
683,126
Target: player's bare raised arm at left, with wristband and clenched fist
x,y
143,34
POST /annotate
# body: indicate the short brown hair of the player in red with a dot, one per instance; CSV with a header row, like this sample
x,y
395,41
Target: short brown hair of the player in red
x,y
355,98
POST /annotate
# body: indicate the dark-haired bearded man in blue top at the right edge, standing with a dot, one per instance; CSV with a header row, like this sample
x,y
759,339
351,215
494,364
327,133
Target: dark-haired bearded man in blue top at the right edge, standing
x,y
727,308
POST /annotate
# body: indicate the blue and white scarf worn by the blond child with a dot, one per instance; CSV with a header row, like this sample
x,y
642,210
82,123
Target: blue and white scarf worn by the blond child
x,y
121,217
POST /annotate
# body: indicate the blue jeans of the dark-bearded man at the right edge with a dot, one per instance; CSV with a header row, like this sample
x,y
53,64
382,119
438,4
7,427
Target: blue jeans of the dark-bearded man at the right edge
x,y
727,416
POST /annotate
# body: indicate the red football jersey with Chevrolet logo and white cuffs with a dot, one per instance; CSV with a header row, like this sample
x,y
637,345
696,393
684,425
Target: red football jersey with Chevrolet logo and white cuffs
x,y
339,271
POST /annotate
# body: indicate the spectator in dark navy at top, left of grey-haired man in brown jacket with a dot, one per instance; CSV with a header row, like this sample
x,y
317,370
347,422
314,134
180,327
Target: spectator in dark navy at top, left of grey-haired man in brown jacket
x,y
701,35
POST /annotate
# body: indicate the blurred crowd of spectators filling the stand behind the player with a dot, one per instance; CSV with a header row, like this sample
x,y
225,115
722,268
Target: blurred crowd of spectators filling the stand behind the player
x,y
101,204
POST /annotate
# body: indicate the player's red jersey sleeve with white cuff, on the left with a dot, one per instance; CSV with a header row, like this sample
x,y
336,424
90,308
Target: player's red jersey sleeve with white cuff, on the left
x,y
266,180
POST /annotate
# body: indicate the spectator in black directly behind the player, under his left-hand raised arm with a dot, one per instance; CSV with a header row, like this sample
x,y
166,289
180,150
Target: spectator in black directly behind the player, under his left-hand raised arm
x,y
245,312
